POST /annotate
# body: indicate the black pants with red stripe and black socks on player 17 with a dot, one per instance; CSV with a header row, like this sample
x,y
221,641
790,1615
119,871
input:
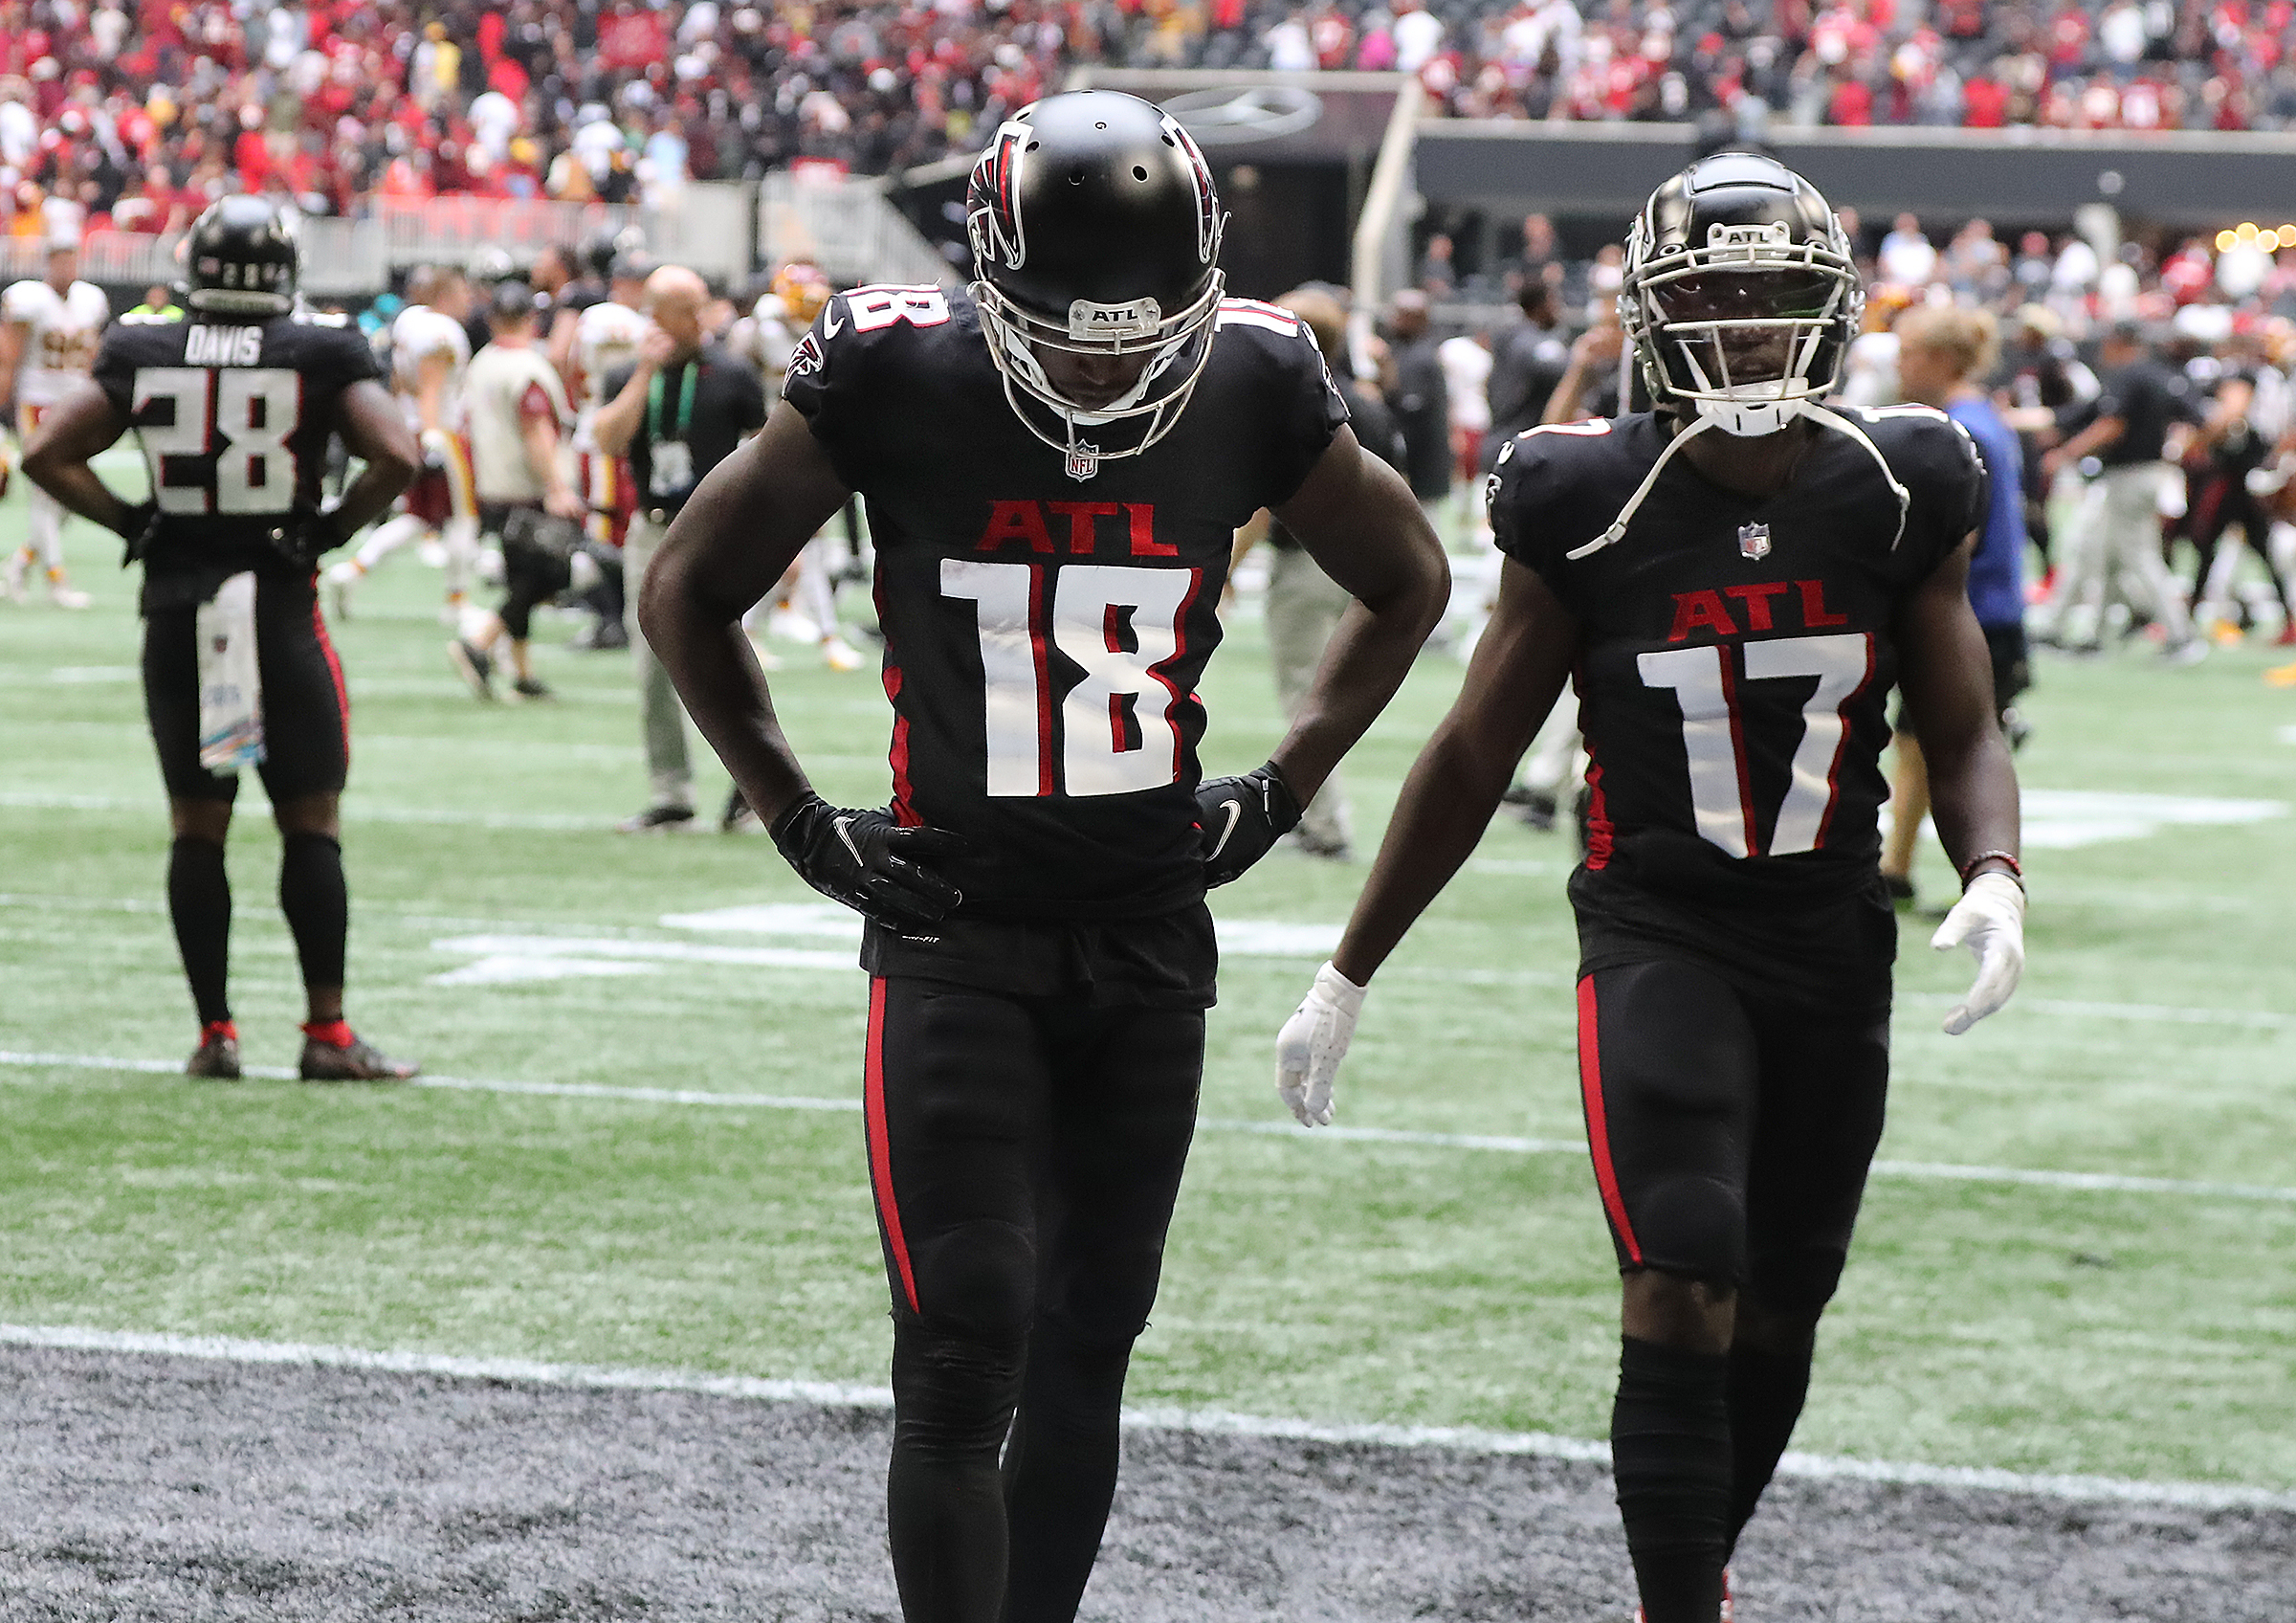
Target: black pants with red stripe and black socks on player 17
x,y
1730,1142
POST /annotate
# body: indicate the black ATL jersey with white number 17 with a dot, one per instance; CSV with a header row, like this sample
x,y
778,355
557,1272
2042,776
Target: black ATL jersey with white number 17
x,y
1735,658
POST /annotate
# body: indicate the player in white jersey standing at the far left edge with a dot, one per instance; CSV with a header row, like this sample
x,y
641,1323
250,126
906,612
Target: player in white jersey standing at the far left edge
x,y
49,334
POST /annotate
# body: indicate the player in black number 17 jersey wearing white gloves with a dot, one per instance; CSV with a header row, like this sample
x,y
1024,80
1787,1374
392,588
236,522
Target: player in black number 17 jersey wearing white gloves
x,y
1735,582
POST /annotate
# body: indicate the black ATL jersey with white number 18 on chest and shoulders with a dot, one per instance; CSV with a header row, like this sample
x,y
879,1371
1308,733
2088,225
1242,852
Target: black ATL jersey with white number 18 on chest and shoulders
x,y
1046,635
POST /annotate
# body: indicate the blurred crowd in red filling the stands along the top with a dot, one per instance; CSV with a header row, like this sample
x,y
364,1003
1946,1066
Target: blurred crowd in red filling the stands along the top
x,y
143,114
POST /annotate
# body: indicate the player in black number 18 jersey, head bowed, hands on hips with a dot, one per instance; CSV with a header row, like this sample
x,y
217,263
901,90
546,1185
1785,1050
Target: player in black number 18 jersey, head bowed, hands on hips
x,y
1055,467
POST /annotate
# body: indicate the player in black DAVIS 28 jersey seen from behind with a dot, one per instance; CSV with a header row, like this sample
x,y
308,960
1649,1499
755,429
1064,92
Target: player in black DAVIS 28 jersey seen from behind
x,y
235,405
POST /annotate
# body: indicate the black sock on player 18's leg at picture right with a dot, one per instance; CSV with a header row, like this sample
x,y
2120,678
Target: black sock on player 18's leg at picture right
x,y
1060,1473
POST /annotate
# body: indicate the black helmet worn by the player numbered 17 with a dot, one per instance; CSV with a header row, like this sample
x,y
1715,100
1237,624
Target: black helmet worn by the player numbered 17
x,y
1739,295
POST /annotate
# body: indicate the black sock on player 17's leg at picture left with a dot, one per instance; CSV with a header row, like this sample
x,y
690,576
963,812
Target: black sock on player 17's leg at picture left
x,y
1673,1463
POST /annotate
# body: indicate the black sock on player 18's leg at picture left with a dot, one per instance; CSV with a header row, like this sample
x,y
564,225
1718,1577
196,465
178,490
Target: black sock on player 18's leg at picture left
x,y
945,1500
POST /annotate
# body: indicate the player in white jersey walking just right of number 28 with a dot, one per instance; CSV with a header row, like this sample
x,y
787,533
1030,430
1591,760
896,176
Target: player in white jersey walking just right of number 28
x,y
430,355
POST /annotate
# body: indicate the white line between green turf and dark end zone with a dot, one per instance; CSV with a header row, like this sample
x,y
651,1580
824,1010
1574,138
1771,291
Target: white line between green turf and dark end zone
x,y
1147,1420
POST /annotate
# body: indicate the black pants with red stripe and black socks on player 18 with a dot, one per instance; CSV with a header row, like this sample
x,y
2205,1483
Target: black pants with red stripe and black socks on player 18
x,y
1025,1156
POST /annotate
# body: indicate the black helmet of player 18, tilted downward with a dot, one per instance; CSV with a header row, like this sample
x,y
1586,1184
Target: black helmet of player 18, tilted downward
x,y
1096,233
